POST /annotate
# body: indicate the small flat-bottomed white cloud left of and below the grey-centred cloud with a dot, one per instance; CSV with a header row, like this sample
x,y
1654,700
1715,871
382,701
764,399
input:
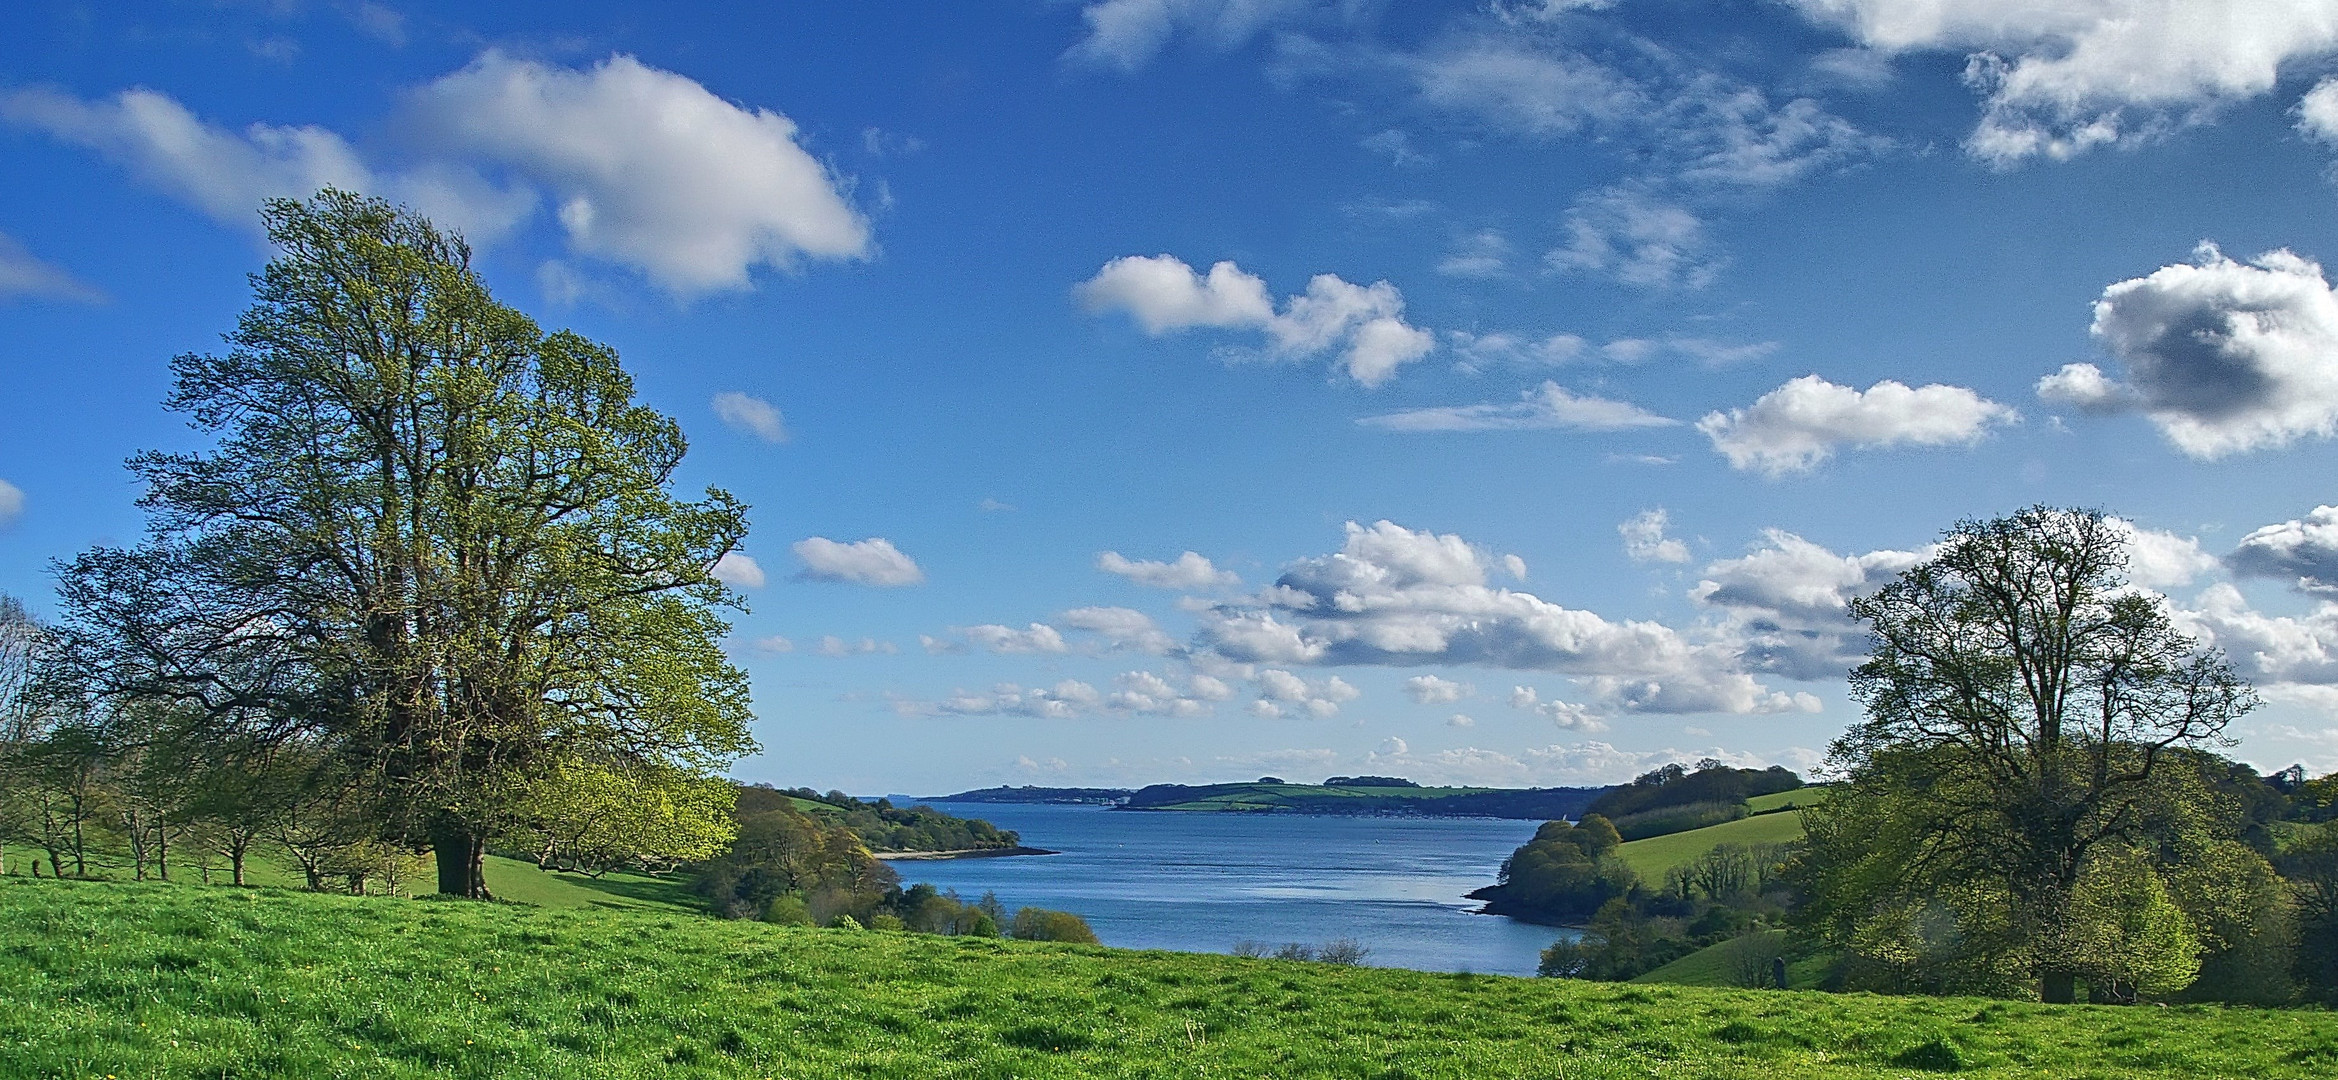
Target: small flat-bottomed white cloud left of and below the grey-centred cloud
x,y
1801,424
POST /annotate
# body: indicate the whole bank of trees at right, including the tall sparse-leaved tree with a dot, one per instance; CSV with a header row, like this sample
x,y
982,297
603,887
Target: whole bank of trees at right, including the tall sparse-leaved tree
x,y
2031,808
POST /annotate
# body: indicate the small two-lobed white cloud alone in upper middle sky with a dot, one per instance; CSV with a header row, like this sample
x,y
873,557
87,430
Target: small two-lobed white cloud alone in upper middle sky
x,y
1362,324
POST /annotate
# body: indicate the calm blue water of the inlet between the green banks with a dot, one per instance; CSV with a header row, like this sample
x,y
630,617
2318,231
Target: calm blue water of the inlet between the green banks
x,y
1203,882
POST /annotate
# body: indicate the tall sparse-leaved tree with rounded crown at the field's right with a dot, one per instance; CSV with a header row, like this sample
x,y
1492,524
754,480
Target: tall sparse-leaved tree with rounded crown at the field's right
x,y
2026,796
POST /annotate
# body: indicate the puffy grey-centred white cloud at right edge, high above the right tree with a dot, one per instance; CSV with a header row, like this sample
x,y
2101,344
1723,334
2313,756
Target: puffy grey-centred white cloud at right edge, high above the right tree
x,y
2225,356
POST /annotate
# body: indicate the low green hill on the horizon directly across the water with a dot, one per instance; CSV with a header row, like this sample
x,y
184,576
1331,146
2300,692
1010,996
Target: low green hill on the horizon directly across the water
x,y
1360,801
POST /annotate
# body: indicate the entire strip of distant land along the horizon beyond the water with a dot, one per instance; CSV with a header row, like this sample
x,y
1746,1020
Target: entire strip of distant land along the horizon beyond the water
x,y
1339,796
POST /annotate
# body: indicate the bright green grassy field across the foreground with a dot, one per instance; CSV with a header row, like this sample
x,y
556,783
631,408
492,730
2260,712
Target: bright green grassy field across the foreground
x,y
141,981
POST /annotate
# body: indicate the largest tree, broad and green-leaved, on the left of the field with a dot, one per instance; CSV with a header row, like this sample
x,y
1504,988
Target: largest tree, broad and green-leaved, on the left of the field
x,y
434,551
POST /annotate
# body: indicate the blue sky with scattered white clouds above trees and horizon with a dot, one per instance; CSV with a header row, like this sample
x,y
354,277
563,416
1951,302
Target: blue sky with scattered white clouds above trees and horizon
x,y
1201,389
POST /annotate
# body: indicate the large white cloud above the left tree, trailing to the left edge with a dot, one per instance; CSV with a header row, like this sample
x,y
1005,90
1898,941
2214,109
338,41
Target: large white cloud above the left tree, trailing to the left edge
x,y
646,169
